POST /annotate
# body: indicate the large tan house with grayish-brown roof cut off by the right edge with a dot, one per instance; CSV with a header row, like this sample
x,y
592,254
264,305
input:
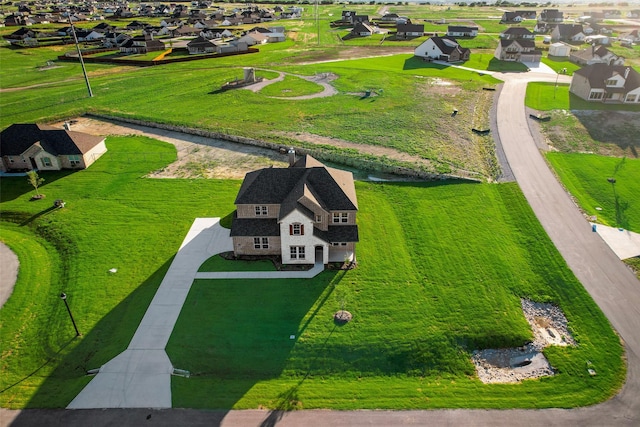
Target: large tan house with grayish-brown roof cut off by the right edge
x,y
607,83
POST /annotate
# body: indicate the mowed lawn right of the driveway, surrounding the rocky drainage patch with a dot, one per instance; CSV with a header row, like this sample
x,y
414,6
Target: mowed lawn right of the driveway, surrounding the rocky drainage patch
x,y
441,270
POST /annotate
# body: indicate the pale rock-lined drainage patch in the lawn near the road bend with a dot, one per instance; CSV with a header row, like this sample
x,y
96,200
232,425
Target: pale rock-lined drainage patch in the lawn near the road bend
x,y
510,365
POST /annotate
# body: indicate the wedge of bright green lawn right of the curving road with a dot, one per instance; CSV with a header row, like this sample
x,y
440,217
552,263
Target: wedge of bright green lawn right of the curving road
x,y
586,176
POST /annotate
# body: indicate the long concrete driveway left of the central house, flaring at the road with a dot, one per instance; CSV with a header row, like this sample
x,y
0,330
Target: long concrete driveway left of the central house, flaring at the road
x,y
140,377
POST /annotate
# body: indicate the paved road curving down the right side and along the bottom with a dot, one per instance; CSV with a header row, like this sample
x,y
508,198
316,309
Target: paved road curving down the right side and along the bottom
x,y
608,280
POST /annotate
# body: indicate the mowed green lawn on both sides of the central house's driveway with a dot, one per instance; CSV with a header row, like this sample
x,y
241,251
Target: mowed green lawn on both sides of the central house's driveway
x,y
416,318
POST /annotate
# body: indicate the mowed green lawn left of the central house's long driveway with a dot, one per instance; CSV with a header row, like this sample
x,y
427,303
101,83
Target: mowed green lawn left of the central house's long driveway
x,y
113,218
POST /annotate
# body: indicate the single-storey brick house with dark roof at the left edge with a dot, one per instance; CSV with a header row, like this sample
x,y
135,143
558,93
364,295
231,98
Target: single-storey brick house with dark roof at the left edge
x,y
32,146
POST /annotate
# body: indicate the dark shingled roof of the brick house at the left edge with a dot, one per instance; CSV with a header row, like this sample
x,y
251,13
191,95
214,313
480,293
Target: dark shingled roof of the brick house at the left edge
x,y
17,138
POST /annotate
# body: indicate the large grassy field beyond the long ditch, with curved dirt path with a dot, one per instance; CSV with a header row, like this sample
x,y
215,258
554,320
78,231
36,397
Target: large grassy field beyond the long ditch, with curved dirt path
x,y
424,129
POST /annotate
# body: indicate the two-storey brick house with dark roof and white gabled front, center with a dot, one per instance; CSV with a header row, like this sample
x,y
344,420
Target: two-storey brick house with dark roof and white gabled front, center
x,y
305,213
